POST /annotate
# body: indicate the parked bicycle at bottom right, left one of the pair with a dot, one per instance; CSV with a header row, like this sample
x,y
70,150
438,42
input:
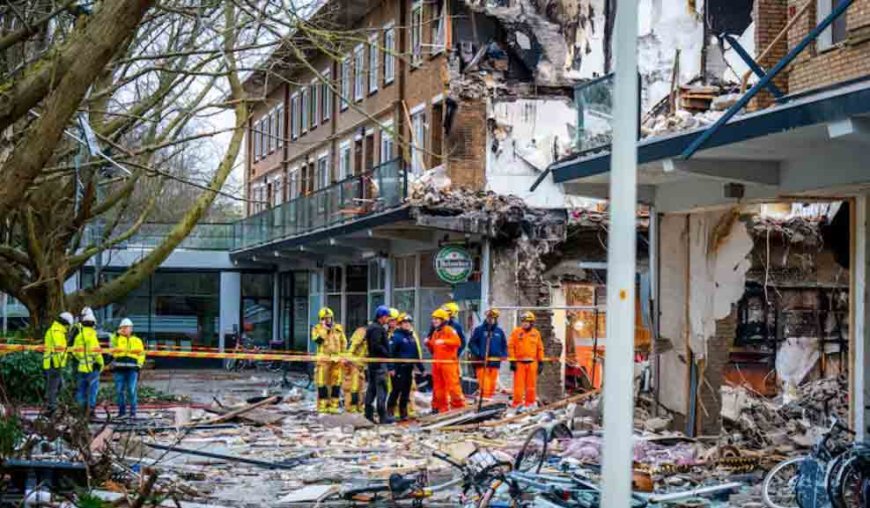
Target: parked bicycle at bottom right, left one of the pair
x,y
805,480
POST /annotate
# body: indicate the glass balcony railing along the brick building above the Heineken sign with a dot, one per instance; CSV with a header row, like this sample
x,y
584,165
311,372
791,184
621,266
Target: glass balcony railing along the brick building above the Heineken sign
x,y
383,187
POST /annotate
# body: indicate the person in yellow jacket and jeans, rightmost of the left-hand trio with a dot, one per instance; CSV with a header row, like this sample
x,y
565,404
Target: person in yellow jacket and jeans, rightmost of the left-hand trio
x,y
128,352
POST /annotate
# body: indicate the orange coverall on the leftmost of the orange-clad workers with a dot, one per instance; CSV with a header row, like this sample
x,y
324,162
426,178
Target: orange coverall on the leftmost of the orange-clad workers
x,y
446,390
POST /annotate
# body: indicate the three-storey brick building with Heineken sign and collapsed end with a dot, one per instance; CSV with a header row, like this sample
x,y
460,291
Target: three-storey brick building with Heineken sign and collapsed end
x,y
396,167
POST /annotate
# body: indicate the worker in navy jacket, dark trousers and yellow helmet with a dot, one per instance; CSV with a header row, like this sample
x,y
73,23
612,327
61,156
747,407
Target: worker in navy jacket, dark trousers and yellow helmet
x,y
404,348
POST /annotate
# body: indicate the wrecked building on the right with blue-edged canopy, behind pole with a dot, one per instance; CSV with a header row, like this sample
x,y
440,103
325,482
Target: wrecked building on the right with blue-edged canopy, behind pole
x,y
753,132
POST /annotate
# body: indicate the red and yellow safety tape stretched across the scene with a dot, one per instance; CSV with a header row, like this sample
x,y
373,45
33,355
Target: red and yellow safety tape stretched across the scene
x,y
275,357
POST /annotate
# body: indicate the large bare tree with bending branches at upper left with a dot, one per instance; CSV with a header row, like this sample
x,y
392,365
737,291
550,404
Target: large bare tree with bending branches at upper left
x,y
142,75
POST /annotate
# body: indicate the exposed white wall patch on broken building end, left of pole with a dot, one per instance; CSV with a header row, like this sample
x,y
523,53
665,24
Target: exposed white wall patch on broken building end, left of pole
x,y
528,132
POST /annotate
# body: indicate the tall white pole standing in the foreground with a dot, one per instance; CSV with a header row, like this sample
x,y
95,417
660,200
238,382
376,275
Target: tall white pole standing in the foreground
x,y
621,270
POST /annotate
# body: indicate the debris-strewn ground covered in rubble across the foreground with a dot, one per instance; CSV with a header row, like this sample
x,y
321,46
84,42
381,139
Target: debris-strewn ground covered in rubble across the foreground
x,y
243,440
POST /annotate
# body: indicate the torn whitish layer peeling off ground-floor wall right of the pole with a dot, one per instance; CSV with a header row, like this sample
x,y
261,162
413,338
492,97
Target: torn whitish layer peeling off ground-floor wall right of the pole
x,y
719,250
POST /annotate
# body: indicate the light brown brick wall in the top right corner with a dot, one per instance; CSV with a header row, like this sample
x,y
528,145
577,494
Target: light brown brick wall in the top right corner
x,y
847,60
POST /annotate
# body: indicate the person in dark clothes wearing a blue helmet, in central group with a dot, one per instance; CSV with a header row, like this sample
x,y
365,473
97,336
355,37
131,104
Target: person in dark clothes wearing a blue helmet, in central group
x,y
378,346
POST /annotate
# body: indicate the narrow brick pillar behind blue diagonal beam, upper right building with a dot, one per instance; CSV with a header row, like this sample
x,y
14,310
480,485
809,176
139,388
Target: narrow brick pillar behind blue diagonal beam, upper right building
x,y
770,18
